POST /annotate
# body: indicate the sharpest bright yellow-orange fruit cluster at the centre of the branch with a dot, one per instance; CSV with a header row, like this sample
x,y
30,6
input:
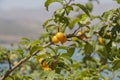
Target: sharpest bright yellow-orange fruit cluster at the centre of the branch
x,y
59,37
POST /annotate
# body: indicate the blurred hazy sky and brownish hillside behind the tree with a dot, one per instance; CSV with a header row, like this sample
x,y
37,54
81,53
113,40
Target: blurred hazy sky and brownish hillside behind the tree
x,y
24,18
